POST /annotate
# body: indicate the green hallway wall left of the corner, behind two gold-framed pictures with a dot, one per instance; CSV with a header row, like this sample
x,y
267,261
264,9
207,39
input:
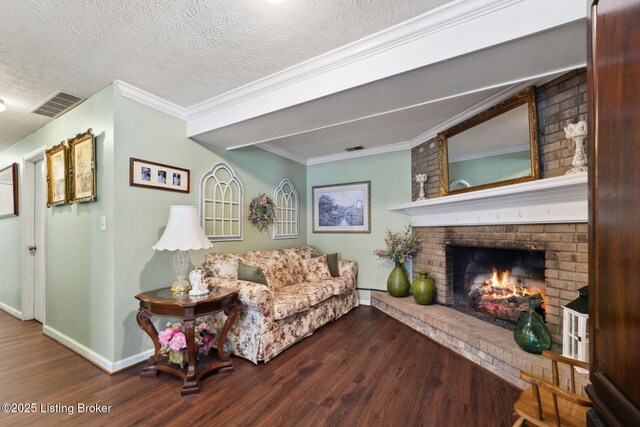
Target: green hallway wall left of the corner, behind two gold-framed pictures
x,y
79,268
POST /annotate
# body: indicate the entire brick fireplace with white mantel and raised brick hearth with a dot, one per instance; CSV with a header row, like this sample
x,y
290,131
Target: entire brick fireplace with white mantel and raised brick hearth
x,y
547,217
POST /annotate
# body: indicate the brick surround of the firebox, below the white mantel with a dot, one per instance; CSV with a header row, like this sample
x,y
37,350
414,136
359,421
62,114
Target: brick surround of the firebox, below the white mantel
x,y
565,247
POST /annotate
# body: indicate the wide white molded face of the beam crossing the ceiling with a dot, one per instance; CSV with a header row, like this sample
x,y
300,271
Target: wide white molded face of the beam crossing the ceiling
x,y
409,45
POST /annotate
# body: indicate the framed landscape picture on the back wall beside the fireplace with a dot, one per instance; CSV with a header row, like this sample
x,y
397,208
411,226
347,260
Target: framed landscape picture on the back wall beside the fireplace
x,y
342,208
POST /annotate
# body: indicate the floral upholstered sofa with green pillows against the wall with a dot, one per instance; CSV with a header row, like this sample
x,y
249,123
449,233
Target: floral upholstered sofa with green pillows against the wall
x,y
299,297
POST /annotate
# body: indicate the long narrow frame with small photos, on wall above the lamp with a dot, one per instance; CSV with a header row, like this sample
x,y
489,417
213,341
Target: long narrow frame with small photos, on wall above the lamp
x,y
143,173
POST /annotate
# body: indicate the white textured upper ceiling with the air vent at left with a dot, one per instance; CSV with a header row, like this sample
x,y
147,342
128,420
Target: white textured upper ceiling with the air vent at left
x,y
184,51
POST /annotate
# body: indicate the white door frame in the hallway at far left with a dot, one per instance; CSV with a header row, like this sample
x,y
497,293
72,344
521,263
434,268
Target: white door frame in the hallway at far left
x,y
27,203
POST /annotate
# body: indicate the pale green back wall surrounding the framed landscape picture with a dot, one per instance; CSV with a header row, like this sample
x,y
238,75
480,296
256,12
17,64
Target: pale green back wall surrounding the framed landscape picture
x,y
390,176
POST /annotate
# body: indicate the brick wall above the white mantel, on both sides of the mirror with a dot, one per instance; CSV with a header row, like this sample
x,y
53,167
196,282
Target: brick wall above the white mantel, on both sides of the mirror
x,y
559,102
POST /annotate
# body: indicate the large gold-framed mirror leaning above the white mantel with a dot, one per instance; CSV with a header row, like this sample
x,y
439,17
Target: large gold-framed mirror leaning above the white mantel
x,y
496,147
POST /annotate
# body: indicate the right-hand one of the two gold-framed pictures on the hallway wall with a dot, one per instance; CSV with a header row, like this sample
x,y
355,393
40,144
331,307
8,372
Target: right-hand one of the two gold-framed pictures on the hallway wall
x,y
82,174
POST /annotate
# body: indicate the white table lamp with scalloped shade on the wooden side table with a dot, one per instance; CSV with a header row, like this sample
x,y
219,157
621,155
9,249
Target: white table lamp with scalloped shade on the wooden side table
x,y
183,233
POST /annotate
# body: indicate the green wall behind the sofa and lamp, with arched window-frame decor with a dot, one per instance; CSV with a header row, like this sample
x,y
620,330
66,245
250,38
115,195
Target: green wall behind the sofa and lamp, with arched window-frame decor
x,y
141,213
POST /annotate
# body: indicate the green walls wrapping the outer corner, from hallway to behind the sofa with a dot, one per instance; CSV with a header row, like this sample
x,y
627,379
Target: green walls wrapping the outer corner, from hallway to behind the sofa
x,y
92,275
